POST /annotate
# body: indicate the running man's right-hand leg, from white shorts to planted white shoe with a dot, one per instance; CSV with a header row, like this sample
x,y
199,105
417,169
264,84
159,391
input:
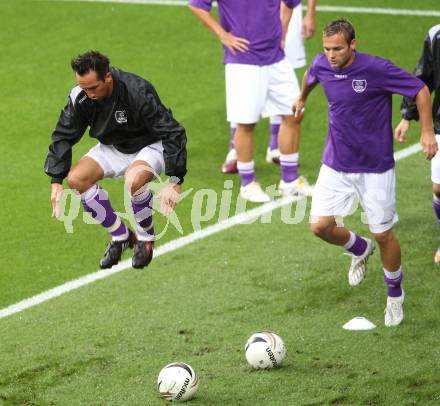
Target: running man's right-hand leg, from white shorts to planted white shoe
x,y
378,199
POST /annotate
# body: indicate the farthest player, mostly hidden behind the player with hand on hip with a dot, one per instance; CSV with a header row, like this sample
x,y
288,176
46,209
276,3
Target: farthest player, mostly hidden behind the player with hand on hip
x,y
295,30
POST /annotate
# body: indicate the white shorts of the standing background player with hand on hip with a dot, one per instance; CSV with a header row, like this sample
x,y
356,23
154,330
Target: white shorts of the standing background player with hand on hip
x,y
253,90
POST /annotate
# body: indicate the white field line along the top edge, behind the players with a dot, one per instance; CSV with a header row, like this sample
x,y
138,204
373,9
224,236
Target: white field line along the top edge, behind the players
x,y
343,9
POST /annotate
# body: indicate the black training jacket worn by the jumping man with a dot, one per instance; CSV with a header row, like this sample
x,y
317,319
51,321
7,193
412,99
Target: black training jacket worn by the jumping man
x,y
130,119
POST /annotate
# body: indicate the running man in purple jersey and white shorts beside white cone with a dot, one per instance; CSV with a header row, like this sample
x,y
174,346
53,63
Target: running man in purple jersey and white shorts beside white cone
x,y
358,156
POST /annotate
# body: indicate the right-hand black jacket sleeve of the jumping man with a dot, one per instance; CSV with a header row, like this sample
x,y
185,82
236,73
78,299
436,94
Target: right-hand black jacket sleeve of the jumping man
x,y
167,129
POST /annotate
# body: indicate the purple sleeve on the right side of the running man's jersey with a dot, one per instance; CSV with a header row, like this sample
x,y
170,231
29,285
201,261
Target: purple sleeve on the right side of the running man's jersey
x,y
397,80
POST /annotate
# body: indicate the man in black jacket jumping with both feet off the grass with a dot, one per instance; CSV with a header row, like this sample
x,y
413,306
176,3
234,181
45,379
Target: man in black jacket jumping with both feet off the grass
x,y
138,139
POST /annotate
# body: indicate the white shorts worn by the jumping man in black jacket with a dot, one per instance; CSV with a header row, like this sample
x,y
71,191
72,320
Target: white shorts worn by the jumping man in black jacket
x,y
115,163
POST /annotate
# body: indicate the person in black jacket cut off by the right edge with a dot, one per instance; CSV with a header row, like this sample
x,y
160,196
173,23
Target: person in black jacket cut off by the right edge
x,y
428,70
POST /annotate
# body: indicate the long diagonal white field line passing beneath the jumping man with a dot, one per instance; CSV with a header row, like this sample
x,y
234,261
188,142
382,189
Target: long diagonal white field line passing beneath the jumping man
x,y
171,246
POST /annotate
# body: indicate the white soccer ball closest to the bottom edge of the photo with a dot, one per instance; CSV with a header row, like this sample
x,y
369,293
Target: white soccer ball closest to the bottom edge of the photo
x,y
177,381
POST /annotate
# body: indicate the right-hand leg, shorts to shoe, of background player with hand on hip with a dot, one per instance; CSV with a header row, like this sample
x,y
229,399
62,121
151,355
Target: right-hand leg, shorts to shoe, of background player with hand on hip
x,y
283,90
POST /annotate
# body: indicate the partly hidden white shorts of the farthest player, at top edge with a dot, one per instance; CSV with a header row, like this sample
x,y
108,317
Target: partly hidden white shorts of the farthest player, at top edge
x,y
294,48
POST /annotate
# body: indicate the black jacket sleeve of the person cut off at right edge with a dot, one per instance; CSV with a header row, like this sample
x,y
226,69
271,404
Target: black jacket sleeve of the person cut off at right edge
x,y
424,71
